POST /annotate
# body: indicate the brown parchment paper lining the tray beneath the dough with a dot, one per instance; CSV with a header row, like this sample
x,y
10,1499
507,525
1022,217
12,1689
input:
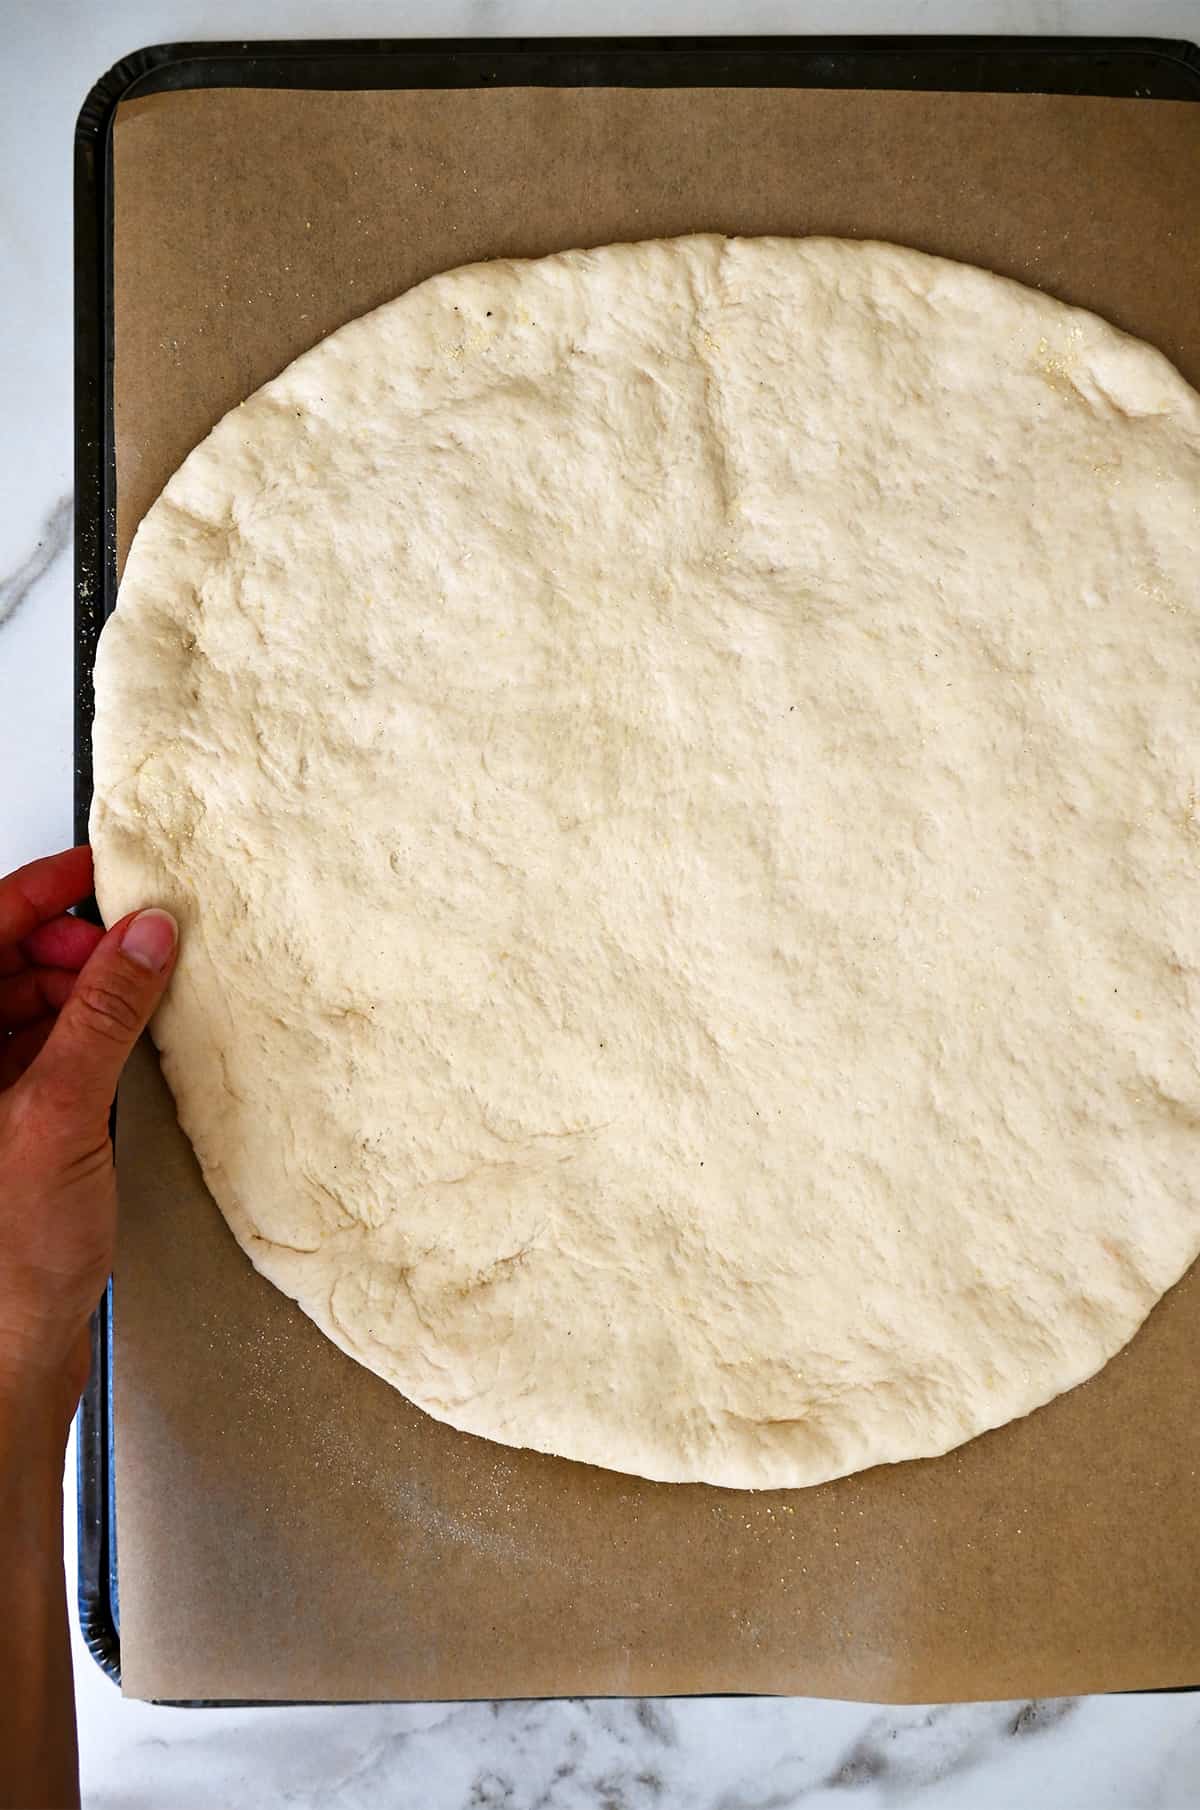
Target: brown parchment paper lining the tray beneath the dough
x,y
289,1525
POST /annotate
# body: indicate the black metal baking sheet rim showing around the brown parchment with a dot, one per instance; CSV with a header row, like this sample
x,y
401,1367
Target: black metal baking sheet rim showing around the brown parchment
x,y
1127,68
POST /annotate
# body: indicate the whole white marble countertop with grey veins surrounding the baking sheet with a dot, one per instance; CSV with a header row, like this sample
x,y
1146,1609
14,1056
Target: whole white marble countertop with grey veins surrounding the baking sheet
x,y
768,1755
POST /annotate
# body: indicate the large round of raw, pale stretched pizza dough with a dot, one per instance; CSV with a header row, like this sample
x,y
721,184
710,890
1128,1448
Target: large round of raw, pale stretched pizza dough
x,y
678,772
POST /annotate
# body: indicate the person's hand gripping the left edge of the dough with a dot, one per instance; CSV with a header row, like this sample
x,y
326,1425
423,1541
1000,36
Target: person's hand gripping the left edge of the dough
x,y
73,1002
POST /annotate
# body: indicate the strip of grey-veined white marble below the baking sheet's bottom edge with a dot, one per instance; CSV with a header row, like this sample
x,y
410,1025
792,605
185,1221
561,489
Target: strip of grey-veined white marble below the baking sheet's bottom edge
x,y
687,1755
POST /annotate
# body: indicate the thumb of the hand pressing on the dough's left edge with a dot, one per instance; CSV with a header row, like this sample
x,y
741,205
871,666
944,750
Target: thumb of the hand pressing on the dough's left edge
x,y
108,1011
